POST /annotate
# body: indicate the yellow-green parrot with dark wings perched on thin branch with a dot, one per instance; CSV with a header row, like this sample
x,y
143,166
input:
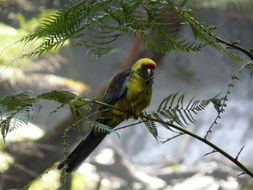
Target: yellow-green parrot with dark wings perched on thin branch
x,y
129,91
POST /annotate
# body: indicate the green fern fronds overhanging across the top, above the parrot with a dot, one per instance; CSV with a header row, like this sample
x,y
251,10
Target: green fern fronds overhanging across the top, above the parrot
x,y
97,24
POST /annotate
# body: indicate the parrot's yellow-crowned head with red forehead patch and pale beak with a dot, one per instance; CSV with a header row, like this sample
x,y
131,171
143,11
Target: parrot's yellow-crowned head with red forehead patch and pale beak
x,y
145,68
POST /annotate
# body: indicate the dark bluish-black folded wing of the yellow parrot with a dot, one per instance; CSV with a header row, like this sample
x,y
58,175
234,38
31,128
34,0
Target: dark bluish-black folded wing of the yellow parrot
x,y
117,88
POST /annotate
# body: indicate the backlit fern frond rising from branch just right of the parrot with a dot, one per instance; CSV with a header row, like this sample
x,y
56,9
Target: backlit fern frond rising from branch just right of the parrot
x,y
174,109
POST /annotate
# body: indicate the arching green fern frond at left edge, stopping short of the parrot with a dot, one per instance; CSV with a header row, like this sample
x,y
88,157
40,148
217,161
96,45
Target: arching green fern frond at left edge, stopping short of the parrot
x,y
18,109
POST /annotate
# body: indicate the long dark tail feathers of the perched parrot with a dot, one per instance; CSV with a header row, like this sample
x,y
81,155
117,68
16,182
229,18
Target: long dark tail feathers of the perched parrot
x,y
82,151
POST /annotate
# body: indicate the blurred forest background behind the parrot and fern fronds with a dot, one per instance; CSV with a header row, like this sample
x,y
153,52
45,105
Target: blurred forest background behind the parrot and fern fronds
x,y
134,159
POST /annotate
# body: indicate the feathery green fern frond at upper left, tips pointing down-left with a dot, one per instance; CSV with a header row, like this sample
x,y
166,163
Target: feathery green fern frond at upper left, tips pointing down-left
x,y
58,28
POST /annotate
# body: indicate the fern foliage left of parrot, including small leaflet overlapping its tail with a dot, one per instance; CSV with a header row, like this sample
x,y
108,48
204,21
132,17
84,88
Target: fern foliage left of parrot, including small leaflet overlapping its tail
x,y
19,109
